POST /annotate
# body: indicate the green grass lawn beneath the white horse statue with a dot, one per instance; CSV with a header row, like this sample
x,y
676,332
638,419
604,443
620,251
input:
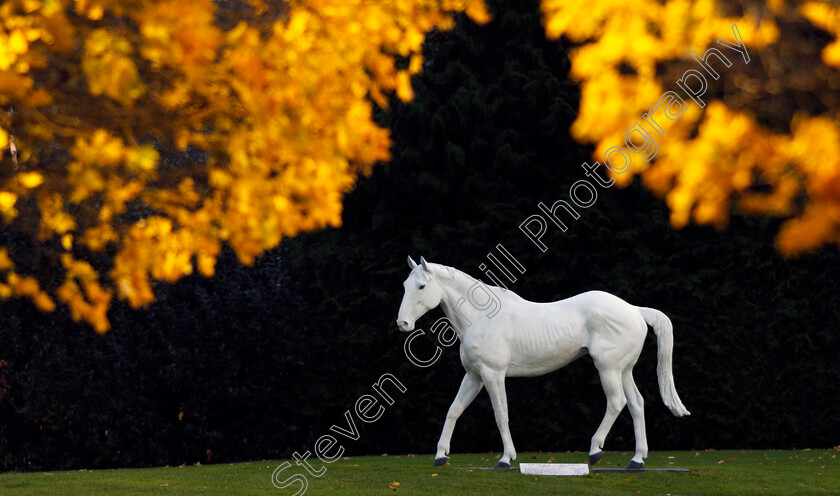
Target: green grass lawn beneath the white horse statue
x,y
713,472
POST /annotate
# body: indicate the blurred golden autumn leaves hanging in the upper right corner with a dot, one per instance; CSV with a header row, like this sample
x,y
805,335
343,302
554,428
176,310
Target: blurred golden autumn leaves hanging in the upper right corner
x,y
756,145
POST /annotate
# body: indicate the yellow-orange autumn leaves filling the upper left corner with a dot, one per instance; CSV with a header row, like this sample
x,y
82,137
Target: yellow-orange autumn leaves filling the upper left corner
x,y
273,105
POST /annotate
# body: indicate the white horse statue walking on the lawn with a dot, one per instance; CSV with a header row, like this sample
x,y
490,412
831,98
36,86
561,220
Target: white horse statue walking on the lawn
x,y
519,338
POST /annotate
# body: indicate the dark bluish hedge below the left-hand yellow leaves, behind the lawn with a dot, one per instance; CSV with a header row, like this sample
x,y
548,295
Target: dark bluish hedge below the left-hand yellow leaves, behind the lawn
x,y
202,375
